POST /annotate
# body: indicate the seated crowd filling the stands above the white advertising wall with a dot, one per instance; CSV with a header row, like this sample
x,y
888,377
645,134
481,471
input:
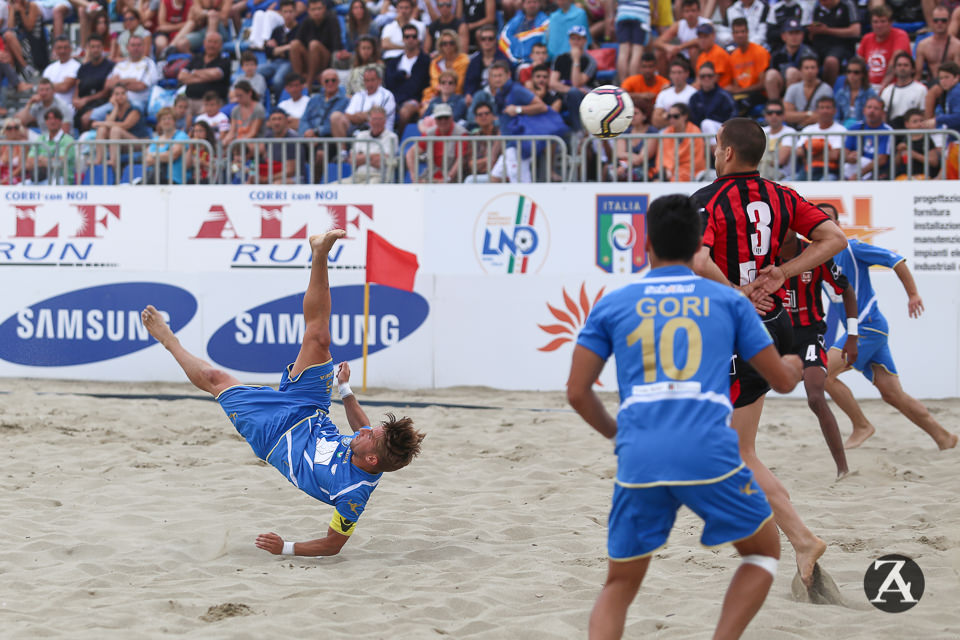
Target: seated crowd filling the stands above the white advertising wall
x,y
194,78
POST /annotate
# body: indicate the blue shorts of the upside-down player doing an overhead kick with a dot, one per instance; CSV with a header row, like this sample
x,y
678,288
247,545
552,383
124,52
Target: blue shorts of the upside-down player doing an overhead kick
x,y
263,414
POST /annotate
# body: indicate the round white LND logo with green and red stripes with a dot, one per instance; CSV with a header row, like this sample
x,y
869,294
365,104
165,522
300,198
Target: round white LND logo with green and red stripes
x,y
511,235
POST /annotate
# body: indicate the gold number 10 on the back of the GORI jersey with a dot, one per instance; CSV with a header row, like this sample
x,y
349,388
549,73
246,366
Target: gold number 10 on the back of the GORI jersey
x,y
663,350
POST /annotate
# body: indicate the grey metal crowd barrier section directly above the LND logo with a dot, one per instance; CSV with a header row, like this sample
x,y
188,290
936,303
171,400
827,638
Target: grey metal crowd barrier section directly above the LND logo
x,y
546,157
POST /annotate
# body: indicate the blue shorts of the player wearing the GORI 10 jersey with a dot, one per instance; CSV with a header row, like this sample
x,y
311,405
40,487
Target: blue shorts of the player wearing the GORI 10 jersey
x,y
641,519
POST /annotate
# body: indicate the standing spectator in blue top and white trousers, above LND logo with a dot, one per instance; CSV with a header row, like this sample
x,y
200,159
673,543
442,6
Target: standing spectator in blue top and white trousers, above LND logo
x,y
512,99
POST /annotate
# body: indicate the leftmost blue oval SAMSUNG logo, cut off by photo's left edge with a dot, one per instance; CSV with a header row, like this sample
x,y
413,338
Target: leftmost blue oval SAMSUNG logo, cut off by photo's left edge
x,y
91,325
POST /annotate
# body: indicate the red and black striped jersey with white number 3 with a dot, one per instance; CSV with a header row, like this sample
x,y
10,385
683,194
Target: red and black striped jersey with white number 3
x,y
747,218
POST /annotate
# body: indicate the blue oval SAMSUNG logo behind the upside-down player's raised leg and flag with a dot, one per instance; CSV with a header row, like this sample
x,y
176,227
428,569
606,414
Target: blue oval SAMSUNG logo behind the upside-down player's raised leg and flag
x,y
267,338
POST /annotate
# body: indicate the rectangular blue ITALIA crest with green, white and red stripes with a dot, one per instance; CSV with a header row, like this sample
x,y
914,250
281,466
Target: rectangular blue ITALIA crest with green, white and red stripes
x,y
621,233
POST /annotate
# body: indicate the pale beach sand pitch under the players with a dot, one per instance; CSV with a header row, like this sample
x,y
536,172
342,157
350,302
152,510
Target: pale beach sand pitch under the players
x,y
134,516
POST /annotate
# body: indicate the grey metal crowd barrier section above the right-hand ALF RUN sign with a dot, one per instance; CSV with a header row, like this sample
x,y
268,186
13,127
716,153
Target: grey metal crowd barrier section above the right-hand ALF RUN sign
x,y
315,160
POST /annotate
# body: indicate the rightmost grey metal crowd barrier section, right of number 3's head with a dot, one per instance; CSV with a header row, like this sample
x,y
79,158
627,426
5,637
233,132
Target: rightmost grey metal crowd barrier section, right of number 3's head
x,y
889,171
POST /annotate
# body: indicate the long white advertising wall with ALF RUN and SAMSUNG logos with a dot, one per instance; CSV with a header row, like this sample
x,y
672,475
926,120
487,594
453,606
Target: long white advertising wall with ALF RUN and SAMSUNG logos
x,y
507,276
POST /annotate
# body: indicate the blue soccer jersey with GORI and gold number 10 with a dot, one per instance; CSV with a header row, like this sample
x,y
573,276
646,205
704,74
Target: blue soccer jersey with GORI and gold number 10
x,y
673,335
